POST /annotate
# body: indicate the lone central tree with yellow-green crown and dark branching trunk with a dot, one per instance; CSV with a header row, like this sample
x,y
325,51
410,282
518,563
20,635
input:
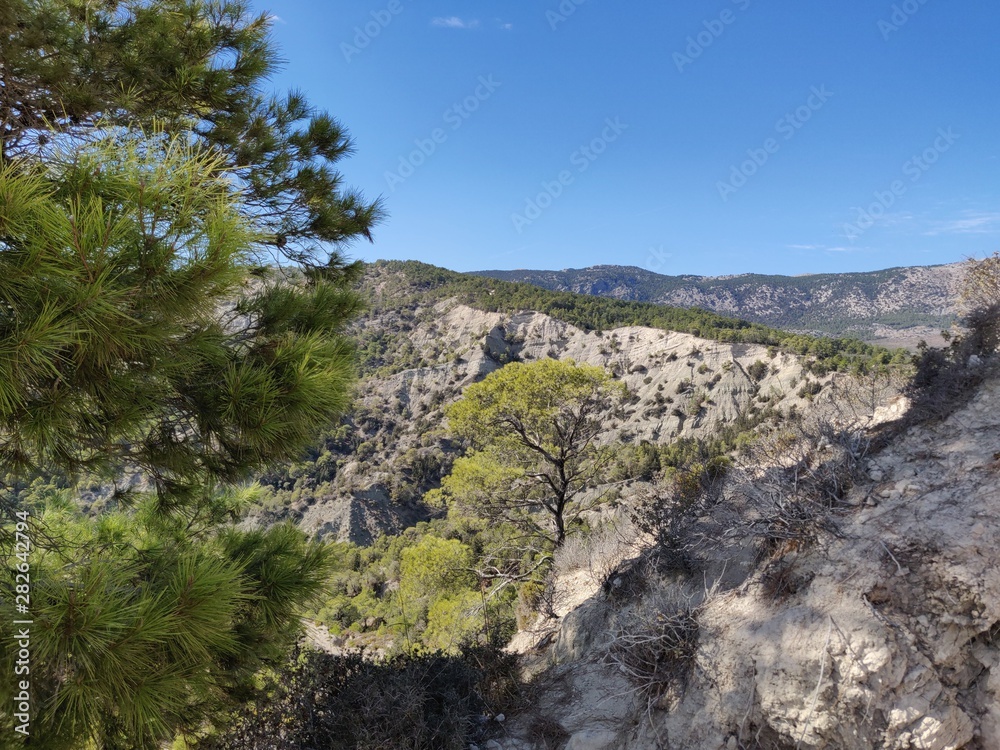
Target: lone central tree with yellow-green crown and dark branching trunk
x,y
533,430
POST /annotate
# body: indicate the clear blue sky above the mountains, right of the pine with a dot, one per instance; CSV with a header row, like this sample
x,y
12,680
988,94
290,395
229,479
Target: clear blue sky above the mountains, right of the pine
x,y
712,138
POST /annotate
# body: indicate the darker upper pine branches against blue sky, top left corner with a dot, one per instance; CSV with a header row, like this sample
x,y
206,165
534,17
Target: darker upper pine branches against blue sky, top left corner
x,y
73,68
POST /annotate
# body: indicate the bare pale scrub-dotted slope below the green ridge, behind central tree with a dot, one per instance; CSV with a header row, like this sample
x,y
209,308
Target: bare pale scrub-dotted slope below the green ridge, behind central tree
x,y
680,385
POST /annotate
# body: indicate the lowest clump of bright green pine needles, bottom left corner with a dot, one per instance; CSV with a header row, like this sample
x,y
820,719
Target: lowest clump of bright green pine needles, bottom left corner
x,y
145,625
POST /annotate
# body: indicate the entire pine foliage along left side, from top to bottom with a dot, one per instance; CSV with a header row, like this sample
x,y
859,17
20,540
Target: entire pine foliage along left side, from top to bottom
x,y
143,350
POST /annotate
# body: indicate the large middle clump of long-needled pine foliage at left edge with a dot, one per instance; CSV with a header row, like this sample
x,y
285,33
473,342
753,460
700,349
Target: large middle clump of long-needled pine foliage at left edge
x,y
131,335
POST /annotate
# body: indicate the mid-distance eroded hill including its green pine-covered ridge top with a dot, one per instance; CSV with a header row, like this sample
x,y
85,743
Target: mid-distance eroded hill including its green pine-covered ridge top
x,y
428,333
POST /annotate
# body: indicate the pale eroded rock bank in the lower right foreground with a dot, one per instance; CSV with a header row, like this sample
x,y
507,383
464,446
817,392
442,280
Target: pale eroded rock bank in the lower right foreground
x,y
893,642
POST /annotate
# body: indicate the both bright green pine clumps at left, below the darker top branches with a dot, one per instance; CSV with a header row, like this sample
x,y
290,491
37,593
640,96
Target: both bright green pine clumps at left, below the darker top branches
x,y
134,338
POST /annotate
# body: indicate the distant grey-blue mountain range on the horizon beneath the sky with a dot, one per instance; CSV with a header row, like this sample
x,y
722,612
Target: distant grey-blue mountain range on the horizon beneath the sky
x,y
897,305
